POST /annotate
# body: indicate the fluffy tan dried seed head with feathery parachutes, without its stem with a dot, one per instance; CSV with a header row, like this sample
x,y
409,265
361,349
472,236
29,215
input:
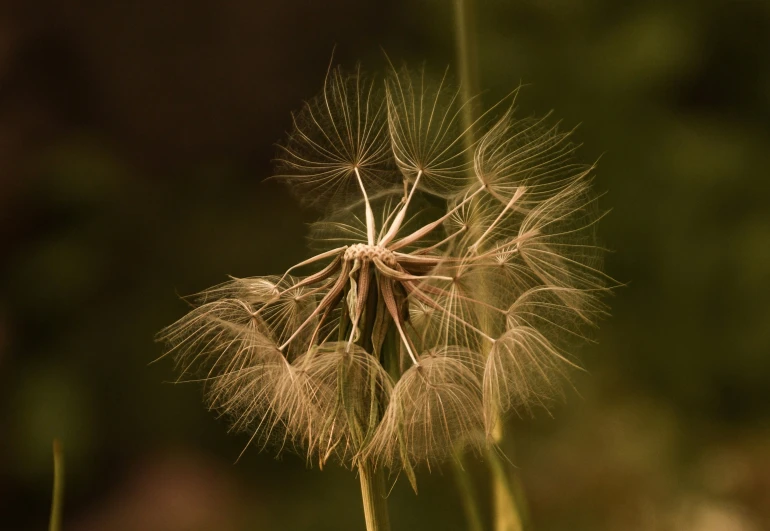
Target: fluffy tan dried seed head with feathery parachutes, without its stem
x,y
451,277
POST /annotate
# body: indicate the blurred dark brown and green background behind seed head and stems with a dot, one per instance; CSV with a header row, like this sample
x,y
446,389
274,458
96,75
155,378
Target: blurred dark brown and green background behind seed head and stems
x,y
134,139
